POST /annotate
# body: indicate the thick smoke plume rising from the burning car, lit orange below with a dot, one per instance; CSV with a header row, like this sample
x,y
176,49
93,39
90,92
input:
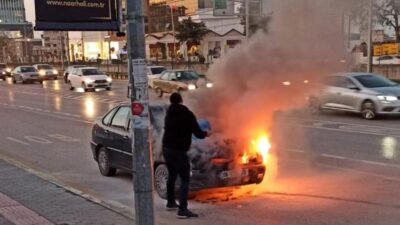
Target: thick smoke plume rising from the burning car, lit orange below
x,y
274,71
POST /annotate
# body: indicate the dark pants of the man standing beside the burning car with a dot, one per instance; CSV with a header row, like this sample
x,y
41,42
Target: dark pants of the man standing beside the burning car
x,y
178,165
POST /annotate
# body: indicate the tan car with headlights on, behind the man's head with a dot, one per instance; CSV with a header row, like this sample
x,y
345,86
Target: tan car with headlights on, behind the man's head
x,y
177,81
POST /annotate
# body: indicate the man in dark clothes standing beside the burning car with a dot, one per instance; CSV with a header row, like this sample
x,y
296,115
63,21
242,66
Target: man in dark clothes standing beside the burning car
x,y
180,124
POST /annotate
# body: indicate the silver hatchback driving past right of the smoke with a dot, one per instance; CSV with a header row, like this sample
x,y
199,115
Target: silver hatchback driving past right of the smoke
x,y
368,94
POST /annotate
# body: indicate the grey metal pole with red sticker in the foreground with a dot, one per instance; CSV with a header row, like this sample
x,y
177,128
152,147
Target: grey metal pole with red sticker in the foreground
x,y
142,165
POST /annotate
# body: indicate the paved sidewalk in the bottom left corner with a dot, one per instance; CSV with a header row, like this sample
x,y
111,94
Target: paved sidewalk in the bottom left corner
x,y
26,199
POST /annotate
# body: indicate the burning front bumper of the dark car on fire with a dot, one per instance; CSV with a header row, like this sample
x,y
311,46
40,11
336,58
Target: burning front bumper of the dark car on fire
x,y
243,175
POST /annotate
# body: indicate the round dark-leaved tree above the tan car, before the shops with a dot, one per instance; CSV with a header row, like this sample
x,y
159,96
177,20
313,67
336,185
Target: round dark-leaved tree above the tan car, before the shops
x,y
190,32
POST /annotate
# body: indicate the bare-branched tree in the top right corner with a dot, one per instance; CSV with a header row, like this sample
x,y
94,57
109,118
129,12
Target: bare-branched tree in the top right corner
x,y
388,12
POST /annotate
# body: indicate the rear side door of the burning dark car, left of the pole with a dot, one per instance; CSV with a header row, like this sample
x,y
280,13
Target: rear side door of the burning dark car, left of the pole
x,y
119,143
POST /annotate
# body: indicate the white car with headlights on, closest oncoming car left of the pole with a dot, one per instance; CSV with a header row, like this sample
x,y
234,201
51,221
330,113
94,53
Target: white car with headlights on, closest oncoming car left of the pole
x,y
89,78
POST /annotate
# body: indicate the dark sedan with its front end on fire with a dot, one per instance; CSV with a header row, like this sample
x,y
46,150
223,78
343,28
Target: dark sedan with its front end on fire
x,y
212,162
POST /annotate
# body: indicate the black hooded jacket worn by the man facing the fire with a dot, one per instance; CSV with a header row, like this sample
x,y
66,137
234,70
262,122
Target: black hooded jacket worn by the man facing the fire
x,y
180,124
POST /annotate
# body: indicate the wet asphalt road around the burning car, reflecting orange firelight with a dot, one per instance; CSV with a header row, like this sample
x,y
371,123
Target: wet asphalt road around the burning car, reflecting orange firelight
x,y
332,168
